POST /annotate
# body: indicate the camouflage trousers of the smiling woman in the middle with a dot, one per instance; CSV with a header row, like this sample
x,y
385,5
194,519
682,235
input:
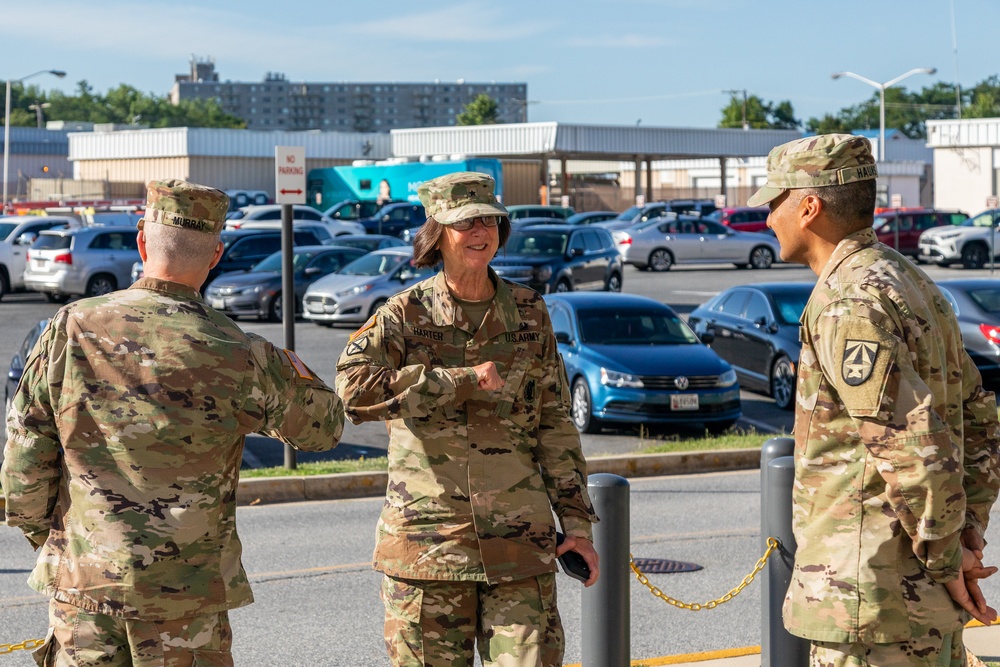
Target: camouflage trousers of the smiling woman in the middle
x,y
439,623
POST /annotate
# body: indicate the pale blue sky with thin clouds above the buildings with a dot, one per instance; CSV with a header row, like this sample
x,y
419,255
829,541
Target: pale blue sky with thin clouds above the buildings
x,y
659,62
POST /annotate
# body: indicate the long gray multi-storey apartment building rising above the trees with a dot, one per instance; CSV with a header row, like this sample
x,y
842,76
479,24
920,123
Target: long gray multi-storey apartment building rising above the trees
x,y
278,104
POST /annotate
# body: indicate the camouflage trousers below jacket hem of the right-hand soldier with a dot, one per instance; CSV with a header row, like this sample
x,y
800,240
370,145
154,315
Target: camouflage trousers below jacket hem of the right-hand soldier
x,y
931,650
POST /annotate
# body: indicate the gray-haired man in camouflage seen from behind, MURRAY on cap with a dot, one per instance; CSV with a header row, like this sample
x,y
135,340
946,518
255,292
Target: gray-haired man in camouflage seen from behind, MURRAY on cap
x,y
124,444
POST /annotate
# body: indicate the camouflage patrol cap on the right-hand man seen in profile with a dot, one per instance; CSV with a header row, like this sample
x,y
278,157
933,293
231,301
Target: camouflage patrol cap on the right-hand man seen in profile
x,y
815,162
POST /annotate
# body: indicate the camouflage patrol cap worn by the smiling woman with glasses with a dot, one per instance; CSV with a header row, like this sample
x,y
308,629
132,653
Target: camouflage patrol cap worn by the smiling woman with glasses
x,y
459,196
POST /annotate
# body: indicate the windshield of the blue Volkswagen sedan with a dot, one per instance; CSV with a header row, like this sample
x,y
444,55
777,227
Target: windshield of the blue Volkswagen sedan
x,y
618,326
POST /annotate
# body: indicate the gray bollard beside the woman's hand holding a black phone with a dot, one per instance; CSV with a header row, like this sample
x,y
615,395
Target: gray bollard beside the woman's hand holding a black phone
x,y
605,611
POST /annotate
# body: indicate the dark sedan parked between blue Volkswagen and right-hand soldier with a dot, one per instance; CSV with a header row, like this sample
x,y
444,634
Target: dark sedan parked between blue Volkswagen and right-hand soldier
x,y
756,329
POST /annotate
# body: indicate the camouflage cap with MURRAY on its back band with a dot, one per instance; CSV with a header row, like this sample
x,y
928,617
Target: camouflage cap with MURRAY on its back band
x,y
186,205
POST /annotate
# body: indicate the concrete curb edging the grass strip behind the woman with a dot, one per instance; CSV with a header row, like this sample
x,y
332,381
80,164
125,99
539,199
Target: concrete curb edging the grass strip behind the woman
x,y
266,490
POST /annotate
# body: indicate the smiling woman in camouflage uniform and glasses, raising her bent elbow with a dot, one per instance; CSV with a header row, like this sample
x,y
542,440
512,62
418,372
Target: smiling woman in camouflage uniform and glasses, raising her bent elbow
x,y
464,369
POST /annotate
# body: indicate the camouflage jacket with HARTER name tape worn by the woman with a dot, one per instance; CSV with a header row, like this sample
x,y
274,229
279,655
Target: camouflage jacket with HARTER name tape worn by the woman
x,y
473,475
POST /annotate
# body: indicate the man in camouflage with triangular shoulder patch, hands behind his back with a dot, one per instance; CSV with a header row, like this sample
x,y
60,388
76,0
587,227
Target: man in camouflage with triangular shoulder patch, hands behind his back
x,y
896,461
